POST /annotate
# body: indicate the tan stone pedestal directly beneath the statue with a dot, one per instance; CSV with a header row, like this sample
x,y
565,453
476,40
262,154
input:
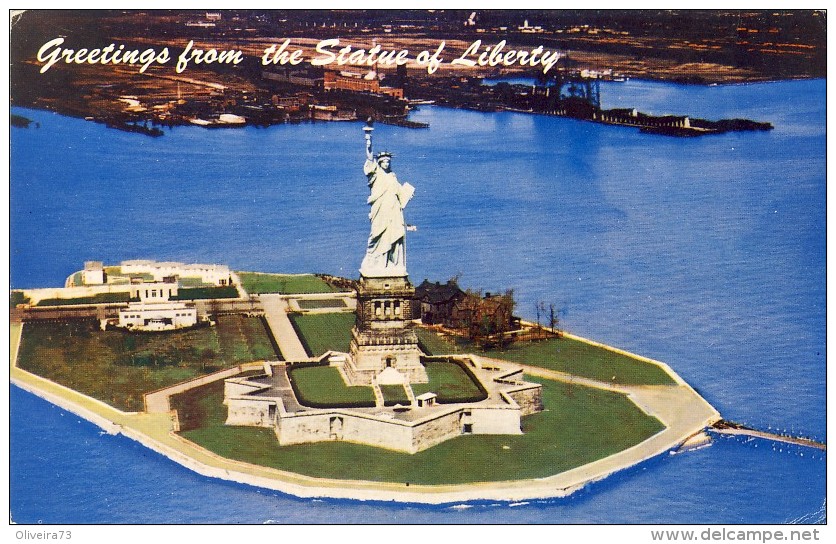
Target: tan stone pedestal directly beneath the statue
x,y
381,337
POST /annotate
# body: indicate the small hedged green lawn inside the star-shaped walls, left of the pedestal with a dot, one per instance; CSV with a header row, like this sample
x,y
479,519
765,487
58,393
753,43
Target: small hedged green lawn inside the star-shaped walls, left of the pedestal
x,y
323,387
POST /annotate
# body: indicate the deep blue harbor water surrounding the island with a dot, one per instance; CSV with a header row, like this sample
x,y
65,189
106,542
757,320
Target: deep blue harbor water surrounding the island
x,y
706,253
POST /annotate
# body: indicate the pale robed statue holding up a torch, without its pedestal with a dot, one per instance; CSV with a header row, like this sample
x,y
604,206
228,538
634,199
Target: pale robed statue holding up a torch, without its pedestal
x,y
385,252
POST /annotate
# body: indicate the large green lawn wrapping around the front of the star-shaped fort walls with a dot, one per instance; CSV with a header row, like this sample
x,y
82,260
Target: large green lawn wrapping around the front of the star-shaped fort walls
x,y
579,425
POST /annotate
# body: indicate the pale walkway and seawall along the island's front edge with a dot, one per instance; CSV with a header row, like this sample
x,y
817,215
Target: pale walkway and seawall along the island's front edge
x,y
156,432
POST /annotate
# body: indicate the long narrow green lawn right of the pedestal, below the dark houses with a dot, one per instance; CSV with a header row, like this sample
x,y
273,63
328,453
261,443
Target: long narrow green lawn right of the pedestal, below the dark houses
x,y
562,354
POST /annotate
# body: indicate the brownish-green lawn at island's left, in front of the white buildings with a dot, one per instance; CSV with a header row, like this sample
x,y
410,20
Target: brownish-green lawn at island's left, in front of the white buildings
x,y
117,367
